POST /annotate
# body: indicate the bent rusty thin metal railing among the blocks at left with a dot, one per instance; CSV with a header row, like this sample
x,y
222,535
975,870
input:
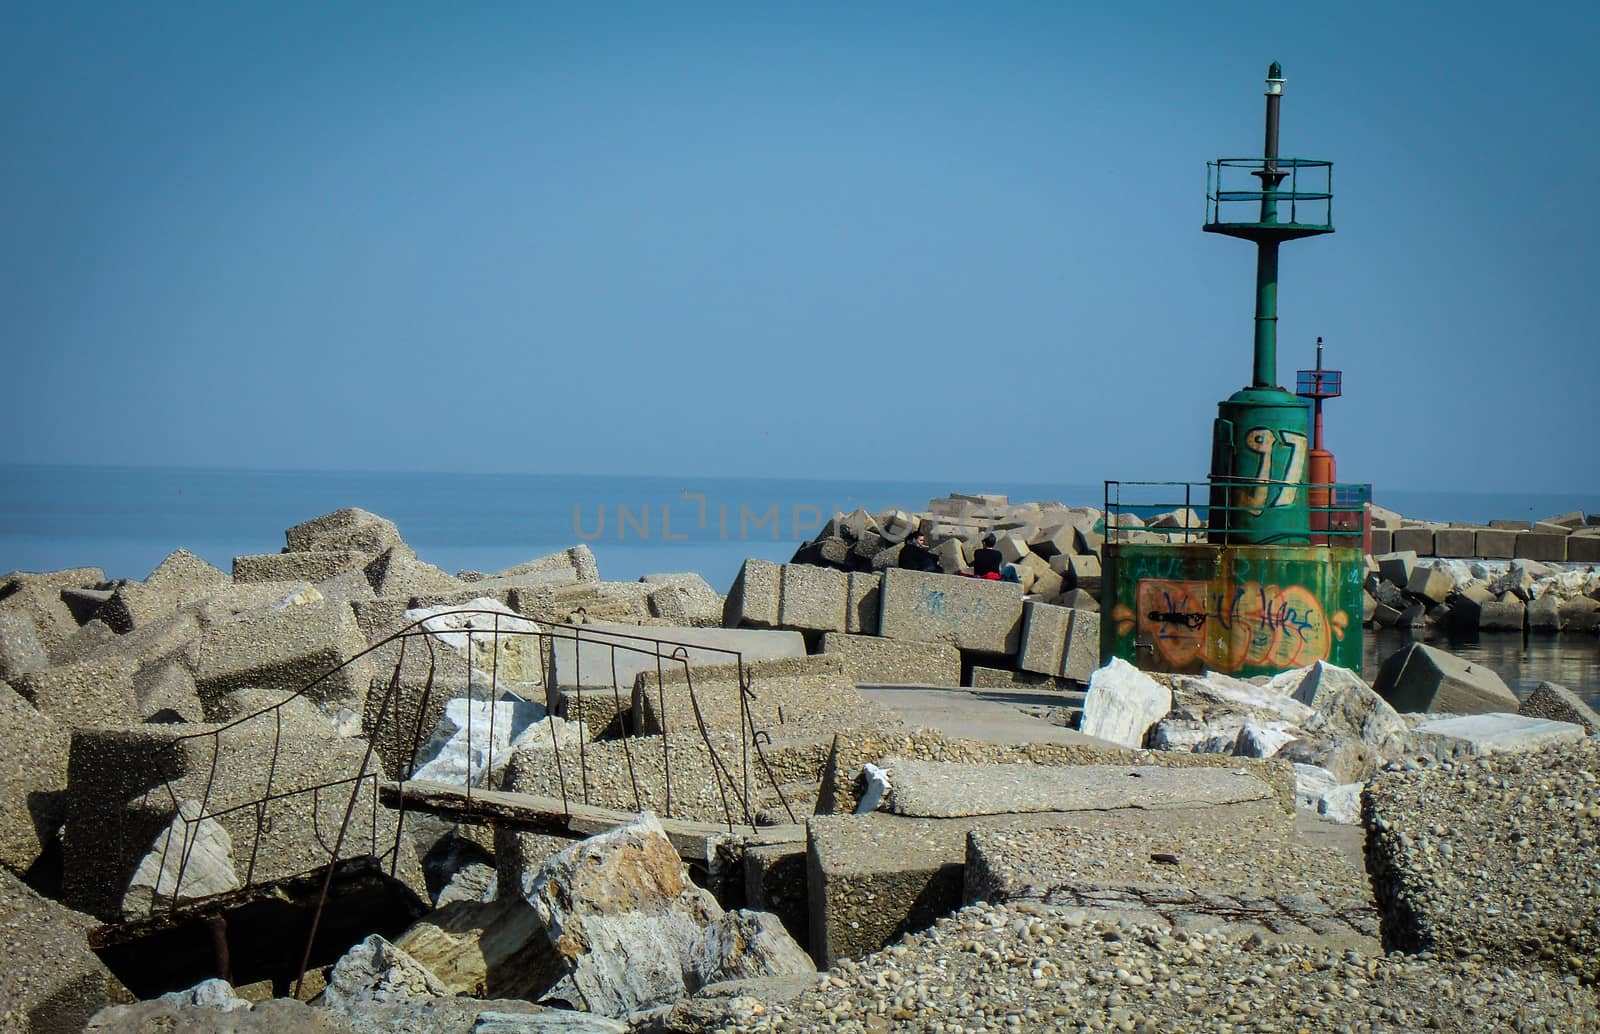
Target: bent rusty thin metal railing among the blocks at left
x,y
170,764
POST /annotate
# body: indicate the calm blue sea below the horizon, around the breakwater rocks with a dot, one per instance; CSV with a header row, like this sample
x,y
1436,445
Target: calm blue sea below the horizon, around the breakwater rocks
x,y
126,521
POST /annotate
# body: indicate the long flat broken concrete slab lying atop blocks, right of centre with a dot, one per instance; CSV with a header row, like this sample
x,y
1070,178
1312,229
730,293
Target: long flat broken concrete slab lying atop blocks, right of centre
x,y
946,790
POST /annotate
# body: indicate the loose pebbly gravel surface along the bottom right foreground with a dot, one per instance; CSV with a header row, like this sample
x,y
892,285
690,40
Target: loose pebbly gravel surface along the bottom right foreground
x,y
1026,968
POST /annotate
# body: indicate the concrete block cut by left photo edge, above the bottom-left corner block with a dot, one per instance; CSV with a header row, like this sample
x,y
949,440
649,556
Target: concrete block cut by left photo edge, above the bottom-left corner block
x,y
33,780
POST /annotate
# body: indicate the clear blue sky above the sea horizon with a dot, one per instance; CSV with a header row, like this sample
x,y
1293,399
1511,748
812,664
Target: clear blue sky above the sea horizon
x,y
950,242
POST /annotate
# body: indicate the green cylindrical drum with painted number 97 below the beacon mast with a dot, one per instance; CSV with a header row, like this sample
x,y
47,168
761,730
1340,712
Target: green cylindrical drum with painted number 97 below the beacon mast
x,y
1262,435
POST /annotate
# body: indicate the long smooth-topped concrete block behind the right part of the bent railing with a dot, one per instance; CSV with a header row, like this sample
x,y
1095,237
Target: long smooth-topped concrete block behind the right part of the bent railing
x,y
583,655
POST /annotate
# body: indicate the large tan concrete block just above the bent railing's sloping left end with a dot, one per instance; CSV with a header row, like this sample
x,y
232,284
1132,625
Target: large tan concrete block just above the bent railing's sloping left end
x,y
294,649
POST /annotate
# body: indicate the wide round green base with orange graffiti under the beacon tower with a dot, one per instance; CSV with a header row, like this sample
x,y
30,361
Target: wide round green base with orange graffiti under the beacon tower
x,y
1242,611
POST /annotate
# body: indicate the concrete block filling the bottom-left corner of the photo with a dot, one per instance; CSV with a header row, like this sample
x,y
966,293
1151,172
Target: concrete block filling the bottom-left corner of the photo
x,y
55,982
